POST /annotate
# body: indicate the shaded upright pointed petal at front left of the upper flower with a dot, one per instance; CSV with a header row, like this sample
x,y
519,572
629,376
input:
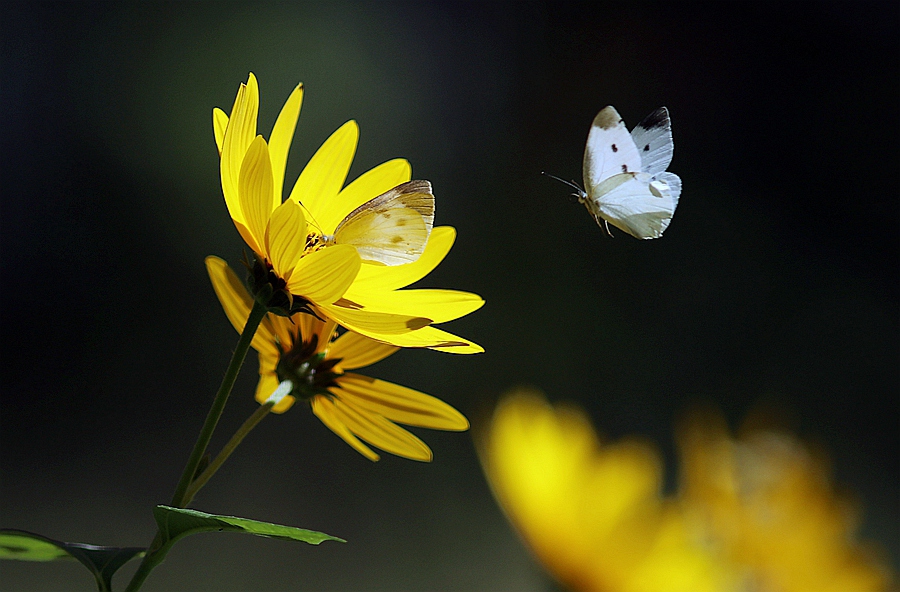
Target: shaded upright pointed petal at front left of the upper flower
x,y
255,188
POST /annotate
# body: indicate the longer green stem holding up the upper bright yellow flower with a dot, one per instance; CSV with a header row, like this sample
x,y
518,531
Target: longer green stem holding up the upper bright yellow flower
x,y
158,548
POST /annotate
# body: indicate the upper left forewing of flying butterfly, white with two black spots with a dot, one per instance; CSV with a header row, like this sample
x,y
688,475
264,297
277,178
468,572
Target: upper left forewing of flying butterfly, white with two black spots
x,y
610,150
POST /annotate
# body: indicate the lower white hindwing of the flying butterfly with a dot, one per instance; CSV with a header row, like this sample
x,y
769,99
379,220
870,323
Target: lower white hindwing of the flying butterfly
x,y
636,205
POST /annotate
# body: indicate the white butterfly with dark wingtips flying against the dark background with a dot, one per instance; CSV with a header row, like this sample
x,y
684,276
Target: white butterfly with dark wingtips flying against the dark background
x,y
624,174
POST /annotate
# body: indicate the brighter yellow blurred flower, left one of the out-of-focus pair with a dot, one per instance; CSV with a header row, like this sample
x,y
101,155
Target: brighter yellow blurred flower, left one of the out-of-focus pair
x,y
592,513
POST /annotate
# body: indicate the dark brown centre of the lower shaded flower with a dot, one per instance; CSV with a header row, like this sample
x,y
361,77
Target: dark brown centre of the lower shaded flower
x,y
309,372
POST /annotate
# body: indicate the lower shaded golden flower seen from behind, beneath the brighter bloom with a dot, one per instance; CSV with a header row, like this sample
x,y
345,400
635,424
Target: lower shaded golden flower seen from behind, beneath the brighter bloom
x,y
302,357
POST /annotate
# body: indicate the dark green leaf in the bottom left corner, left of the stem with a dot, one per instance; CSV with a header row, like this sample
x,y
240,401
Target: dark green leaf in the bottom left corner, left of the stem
x,y
101,561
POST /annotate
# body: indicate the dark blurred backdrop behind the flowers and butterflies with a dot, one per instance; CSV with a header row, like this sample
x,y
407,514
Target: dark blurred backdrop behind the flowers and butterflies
x,y
775,286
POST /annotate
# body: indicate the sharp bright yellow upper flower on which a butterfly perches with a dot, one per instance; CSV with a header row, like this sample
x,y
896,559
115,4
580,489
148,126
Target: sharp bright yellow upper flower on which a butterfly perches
x,y
289,238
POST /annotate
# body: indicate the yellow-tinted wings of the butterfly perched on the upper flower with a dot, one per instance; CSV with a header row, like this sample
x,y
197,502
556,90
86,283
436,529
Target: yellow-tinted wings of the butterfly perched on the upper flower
x,y
392,228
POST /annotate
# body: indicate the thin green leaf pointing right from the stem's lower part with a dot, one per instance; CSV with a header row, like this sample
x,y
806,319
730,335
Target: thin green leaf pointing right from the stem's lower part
x,y
175,523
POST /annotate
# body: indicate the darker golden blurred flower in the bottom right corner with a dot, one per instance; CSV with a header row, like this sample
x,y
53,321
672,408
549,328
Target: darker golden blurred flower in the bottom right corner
x,y
770,507
